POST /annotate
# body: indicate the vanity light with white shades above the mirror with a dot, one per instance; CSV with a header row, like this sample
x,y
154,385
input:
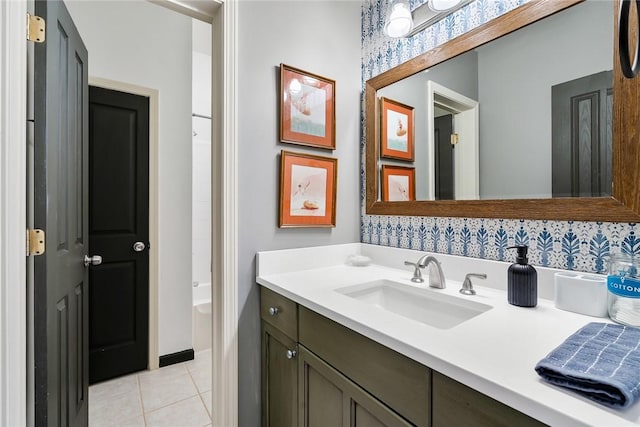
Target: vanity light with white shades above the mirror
x,y
402,22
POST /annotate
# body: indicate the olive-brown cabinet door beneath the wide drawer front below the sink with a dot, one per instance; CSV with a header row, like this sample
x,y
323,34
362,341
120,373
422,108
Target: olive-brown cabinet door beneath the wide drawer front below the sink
x,y
329,399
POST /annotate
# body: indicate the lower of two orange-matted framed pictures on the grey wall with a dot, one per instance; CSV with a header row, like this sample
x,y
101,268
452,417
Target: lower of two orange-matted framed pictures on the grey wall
x,y
308,187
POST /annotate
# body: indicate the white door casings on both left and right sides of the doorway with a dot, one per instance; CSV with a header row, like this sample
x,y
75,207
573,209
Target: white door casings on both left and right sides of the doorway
x,y
13,195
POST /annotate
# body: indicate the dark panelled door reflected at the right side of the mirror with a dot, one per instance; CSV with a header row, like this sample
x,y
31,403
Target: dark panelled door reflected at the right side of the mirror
x,y
582,119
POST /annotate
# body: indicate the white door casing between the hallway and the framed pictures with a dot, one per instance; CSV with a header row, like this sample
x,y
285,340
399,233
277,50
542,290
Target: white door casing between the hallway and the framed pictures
x,y
224,230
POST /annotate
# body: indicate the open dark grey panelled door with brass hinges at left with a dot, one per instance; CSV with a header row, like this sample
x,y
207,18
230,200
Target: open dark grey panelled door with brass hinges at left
x,y
60,208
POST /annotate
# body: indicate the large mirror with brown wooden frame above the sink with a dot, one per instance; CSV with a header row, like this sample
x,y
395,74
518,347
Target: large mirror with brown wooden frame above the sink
x,y
500,178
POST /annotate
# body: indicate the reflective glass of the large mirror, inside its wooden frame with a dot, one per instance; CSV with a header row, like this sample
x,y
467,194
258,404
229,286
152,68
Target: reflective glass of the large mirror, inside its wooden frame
x,y
526,116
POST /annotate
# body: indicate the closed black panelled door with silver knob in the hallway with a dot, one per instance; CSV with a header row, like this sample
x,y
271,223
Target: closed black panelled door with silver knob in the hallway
x,y
119,232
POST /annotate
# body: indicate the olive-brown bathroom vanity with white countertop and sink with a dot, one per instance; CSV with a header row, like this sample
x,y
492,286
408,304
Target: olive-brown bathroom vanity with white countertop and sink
x,y
332,356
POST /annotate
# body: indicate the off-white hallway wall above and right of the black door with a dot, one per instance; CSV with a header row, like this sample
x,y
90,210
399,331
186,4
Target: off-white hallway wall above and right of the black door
x,y
143,44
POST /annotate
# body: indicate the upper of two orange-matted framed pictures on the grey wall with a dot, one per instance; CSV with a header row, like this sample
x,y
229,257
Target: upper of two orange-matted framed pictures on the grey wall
x,y
307,108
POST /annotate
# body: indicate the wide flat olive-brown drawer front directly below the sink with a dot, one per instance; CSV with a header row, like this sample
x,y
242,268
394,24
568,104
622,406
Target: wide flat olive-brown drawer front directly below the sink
x,y
399,382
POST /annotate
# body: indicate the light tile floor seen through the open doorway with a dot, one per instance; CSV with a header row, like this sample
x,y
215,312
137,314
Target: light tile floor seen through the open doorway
x,y
174,396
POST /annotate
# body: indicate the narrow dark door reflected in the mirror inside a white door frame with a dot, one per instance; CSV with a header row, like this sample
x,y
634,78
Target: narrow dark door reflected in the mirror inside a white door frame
x,y
444,160
